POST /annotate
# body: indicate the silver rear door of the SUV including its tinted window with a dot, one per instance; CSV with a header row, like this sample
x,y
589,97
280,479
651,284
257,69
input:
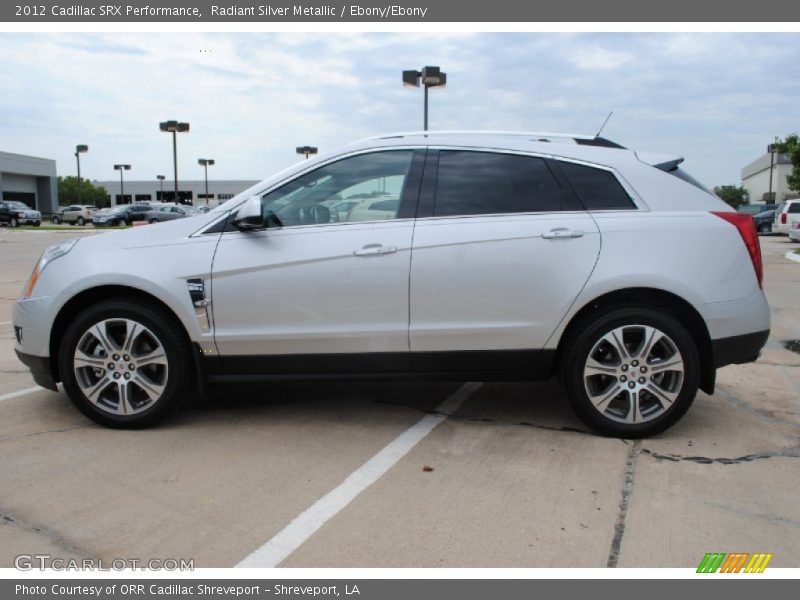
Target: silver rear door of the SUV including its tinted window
x,y
502,247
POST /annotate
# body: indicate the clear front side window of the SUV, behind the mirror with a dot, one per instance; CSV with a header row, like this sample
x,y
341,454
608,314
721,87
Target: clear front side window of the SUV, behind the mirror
x,y
367,187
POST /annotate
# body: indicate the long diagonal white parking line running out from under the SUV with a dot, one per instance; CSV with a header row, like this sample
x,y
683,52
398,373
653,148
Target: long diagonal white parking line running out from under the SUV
x,y
309,521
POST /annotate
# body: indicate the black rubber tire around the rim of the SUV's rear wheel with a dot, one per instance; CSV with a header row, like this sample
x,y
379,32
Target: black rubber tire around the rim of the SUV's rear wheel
x,y
591,332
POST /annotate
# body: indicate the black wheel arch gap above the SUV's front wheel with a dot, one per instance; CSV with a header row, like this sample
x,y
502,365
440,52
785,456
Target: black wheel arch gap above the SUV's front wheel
x,y
97,294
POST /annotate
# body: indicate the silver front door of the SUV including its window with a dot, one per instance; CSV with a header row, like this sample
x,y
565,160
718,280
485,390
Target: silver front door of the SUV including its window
x,y
326,283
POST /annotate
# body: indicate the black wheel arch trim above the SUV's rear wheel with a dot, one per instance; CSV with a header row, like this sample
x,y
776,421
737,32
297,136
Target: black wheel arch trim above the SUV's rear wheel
x,y
671,303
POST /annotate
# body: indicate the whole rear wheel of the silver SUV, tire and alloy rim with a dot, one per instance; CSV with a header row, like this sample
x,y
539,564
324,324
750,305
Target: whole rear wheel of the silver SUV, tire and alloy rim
x,y
632,372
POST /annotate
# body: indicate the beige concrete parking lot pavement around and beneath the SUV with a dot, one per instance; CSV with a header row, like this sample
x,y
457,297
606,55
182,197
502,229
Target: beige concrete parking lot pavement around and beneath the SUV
x,y
509,478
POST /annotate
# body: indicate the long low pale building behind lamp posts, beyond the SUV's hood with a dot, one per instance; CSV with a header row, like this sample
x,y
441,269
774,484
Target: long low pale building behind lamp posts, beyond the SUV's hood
x,y
189,192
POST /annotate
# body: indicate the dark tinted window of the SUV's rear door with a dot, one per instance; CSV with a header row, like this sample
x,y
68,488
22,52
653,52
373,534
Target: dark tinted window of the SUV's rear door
x,y
478,183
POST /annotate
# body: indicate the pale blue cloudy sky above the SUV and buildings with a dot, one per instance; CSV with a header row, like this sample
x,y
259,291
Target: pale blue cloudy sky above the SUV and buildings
x,y
717,99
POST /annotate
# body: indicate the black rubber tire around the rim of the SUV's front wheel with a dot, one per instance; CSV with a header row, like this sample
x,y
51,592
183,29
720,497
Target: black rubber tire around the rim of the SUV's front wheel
x,y
179,378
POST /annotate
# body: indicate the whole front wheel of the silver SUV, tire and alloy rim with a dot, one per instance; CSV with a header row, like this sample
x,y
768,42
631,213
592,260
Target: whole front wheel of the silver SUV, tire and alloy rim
x,y
125,364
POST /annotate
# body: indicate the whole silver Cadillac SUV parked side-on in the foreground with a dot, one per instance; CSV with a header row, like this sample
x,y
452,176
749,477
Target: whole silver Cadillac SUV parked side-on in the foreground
x,y
460,256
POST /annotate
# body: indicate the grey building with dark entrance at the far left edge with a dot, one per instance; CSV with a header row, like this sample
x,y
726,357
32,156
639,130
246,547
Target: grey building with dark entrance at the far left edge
x,y
29,179
